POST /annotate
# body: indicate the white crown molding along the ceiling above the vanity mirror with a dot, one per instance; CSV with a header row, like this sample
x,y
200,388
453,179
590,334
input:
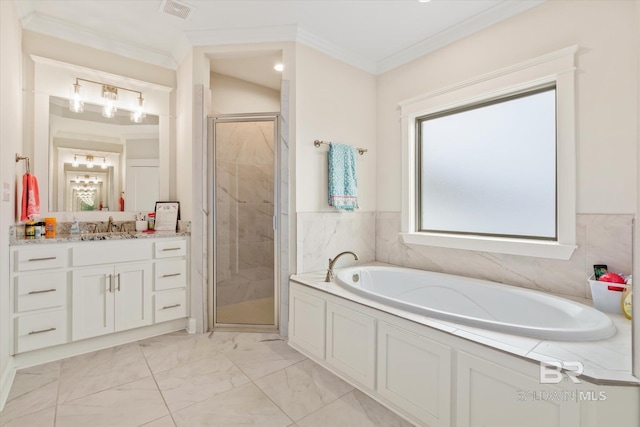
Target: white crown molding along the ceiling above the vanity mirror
x,y
63,30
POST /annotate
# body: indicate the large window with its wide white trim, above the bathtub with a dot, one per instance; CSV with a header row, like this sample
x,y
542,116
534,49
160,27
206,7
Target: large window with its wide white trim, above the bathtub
x,y
489,163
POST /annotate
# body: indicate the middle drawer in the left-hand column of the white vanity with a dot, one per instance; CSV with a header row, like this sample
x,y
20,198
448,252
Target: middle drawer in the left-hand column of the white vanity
x,y
36,291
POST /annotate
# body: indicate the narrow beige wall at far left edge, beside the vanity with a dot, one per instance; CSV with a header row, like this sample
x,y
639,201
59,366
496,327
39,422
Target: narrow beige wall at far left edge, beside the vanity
x,y
10,144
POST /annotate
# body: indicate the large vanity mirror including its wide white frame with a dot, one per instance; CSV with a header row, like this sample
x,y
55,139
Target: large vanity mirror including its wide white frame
x,y
131,162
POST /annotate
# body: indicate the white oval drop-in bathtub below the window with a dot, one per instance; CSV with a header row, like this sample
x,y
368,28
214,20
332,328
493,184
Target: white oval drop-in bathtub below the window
x,y
478,303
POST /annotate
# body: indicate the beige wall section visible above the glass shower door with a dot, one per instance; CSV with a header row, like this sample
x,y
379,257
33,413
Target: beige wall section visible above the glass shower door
x,y
230,96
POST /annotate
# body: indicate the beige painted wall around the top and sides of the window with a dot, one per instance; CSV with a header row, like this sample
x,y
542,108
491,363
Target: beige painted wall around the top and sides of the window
x,y
606,109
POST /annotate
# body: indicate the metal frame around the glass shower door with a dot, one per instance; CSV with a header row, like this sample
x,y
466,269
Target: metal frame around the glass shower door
x,y
212,120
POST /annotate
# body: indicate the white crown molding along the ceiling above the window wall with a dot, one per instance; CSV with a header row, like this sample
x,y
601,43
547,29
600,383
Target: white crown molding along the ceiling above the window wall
x,y
472,25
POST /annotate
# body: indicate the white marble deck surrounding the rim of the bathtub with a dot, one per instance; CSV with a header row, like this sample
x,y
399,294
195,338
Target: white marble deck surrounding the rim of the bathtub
x,y
605,361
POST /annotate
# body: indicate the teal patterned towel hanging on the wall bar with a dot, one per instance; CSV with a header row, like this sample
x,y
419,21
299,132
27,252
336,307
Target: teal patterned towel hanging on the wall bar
x,y
343,179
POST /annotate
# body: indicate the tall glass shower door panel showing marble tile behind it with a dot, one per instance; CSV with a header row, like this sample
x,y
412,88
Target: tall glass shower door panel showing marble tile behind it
x,y
244,212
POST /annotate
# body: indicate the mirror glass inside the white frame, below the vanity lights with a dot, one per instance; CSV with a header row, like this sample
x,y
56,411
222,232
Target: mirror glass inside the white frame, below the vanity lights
x,y
102,164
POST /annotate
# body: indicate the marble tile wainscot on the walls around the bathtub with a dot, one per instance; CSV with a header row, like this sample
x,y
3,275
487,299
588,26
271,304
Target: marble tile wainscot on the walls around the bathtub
x,y
602,239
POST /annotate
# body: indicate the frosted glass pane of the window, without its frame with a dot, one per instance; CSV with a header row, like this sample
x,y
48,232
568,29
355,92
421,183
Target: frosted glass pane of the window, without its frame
x,y
491,170
